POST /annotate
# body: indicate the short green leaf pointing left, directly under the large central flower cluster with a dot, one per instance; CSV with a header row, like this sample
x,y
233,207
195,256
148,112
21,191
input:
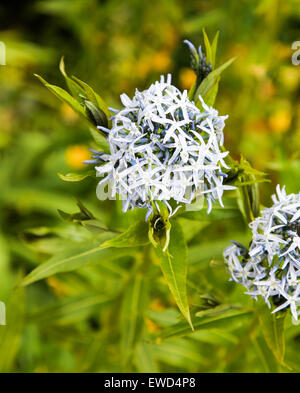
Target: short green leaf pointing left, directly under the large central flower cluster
x,y
135,236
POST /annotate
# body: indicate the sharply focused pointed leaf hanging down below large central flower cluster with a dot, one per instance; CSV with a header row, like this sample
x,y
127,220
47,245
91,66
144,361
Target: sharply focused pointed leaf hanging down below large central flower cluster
x,y
174,264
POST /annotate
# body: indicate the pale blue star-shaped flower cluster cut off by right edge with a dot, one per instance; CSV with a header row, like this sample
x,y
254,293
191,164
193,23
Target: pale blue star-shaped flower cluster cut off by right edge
x,y
271,266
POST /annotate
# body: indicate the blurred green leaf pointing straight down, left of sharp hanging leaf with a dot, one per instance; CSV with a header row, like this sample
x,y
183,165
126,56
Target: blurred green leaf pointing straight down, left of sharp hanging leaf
x,y
132,316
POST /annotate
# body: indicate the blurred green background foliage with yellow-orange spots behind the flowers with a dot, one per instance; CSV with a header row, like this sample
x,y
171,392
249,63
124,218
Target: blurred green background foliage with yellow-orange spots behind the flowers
x,y
64,323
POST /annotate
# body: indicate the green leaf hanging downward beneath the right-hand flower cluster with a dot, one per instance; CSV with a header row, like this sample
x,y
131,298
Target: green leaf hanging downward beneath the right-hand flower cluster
x,y
272,326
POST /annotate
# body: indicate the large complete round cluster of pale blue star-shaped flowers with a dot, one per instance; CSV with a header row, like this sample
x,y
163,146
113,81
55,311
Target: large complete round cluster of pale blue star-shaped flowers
x,y
162,148
